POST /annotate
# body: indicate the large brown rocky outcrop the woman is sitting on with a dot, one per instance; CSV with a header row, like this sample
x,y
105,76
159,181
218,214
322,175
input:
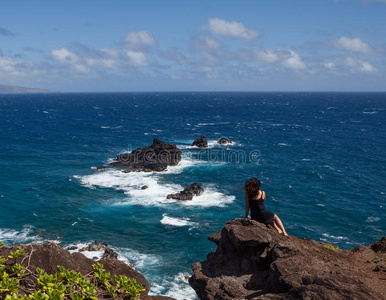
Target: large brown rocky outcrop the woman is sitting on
x,y
255,262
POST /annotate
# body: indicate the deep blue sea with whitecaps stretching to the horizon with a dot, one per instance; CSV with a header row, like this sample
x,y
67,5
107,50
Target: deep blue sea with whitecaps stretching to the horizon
x,y
321,158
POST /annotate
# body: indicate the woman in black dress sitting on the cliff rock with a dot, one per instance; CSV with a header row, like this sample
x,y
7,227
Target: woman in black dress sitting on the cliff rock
x,y
254,200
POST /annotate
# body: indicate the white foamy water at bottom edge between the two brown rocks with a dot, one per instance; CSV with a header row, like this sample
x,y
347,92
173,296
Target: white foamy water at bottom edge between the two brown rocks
x,y
176,287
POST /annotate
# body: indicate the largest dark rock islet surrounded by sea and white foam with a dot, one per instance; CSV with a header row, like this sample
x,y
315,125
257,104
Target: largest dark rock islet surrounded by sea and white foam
x,y
156,157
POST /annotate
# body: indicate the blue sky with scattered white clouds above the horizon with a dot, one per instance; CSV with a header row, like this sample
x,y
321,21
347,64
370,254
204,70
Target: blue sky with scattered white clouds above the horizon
x,y
177,45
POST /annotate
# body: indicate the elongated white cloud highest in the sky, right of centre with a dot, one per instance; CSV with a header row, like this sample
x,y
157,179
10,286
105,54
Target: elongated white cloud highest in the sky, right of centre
x,y
231,29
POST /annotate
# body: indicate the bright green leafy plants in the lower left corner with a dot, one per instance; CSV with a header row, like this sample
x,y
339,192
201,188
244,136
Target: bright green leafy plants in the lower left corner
x,y
18,282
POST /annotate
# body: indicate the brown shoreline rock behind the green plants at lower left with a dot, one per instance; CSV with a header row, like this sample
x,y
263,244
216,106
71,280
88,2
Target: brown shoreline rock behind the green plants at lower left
x,y
48,256
